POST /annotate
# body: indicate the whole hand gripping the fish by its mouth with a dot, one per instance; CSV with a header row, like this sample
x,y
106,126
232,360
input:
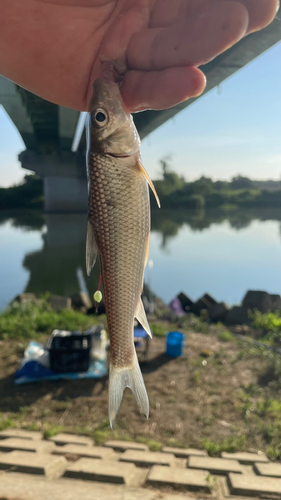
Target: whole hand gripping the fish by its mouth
x,y
53,47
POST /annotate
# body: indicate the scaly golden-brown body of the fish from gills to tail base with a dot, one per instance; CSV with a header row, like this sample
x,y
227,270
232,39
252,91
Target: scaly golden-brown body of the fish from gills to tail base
x,y
119,215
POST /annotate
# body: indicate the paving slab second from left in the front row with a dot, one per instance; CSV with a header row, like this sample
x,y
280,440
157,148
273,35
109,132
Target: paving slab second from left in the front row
x,y
101,470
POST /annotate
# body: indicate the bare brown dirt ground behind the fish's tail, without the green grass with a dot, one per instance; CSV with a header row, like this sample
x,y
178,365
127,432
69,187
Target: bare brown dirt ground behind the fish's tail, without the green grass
x,y
210,395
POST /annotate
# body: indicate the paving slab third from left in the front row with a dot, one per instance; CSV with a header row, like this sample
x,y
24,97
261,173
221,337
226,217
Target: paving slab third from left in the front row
x,y
178,478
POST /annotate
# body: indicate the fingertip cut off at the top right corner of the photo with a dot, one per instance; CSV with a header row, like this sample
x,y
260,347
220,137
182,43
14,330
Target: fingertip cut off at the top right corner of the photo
x,y
261,13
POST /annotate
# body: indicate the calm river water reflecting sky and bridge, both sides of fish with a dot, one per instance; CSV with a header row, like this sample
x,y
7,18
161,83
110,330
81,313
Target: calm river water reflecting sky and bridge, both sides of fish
x,y
224,254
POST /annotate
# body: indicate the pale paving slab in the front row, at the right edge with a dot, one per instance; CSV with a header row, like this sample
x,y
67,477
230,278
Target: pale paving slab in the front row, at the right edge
x,y
253,486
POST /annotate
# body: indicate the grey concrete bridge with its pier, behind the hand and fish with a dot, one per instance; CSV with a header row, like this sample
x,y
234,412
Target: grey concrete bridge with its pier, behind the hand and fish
x,y
54,136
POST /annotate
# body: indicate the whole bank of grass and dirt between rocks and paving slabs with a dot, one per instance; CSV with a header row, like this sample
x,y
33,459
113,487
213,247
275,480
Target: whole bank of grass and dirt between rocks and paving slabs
x,y
223,394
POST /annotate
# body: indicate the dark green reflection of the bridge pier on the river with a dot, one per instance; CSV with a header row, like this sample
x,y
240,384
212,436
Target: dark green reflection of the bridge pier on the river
x,y
59,267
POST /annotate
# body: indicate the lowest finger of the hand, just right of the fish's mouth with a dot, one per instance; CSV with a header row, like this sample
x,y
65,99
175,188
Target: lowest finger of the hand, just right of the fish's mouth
x,y
161,89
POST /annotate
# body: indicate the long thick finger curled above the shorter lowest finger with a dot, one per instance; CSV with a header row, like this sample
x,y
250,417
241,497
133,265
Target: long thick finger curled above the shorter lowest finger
x,y
190,42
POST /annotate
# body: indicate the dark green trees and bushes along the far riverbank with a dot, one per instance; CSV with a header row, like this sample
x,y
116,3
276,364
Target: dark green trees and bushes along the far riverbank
x,y
173,190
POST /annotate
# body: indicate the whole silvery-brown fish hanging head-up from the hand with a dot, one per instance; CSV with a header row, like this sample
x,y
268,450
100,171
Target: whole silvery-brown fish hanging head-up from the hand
x,y
118,231
